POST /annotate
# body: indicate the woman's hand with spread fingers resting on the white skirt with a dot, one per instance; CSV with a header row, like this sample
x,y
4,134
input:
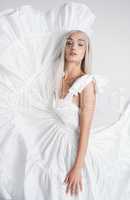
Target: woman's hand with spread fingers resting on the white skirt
x,y
74,181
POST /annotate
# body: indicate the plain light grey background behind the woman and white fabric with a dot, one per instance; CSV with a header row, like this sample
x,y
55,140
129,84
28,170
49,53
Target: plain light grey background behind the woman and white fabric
x,y
111,39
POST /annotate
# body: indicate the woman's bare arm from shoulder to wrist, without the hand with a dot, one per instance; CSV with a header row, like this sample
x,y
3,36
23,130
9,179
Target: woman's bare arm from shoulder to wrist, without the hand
x,y
87,108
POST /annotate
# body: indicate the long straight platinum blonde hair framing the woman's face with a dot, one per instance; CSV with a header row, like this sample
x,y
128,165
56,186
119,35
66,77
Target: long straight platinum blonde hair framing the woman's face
x,y
86,64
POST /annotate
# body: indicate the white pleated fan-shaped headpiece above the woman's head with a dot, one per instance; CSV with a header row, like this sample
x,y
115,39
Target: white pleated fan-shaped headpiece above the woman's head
x,y
71,16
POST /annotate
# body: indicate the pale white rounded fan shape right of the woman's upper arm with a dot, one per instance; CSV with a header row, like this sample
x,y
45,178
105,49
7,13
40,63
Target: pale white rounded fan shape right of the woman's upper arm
x,y
111,102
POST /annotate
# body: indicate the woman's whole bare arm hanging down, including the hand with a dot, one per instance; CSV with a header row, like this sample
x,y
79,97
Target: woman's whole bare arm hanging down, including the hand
x,y
87,106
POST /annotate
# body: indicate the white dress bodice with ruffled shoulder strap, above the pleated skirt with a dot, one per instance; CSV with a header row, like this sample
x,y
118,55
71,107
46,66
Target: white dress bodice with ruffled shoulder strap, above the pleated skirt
x,y
65,108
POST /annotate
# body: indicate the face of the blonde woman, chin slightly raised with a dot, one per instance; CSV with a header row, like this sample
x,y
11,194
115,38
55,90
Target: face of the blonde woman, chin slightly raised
x,y
75,47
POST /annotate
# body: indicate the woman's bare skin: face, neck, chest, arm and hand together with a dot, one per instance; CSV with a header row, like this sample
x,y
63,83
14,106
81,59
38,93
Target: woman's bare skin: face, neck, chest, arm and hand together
x,y
85,100
